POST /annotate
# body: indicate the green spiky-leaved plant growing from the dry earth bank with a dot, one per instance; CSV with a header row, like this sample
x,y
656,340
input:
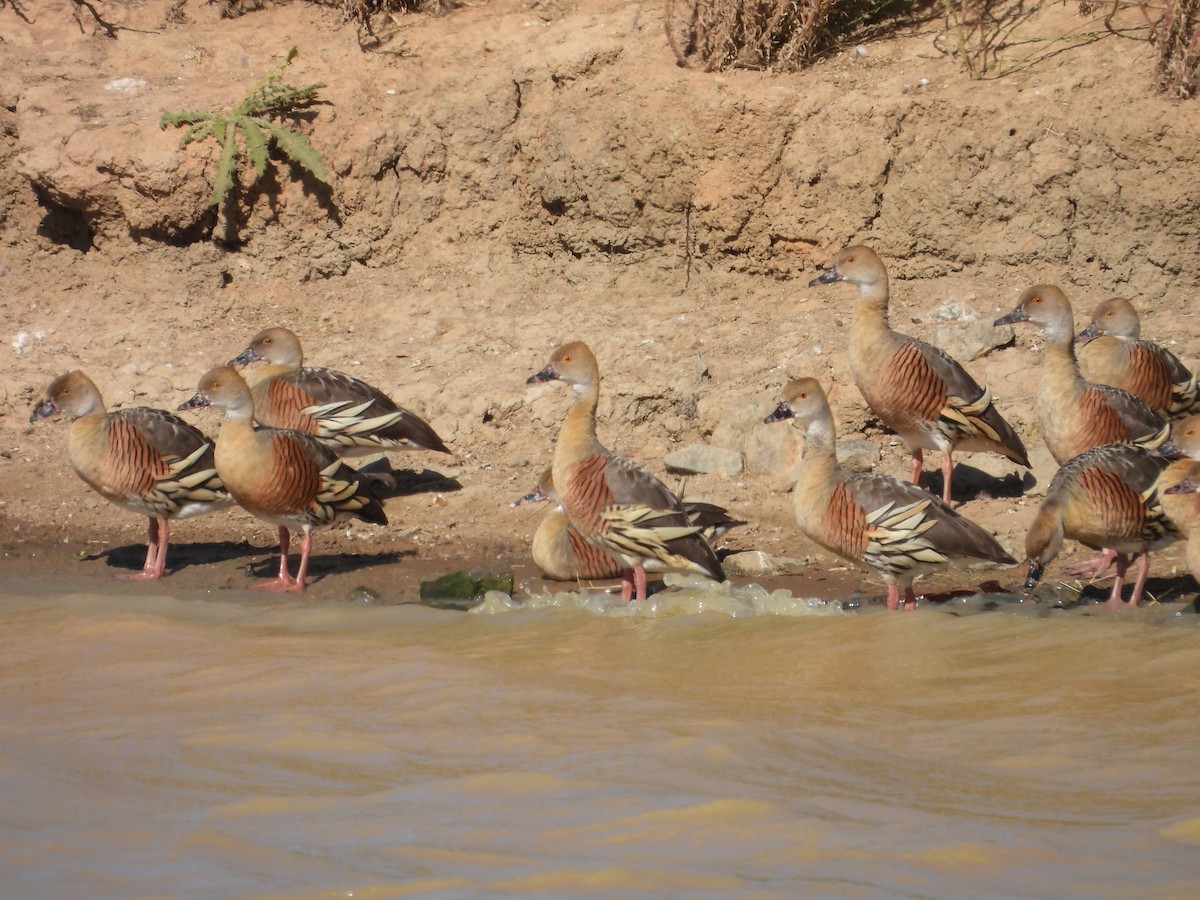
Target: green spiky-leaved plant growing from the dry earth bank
x,y
256,124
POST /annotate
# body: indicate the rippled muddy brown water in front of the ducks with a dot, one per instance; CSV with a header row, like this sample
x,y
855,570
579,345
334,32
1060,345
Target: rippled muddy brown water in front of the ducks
x,y
177,742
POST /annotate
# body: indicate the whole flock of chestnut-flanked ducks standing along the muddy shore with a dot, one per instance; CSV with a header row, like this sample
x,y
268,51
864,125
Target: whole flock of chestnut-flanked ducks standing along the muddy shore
x,y
1127,445
